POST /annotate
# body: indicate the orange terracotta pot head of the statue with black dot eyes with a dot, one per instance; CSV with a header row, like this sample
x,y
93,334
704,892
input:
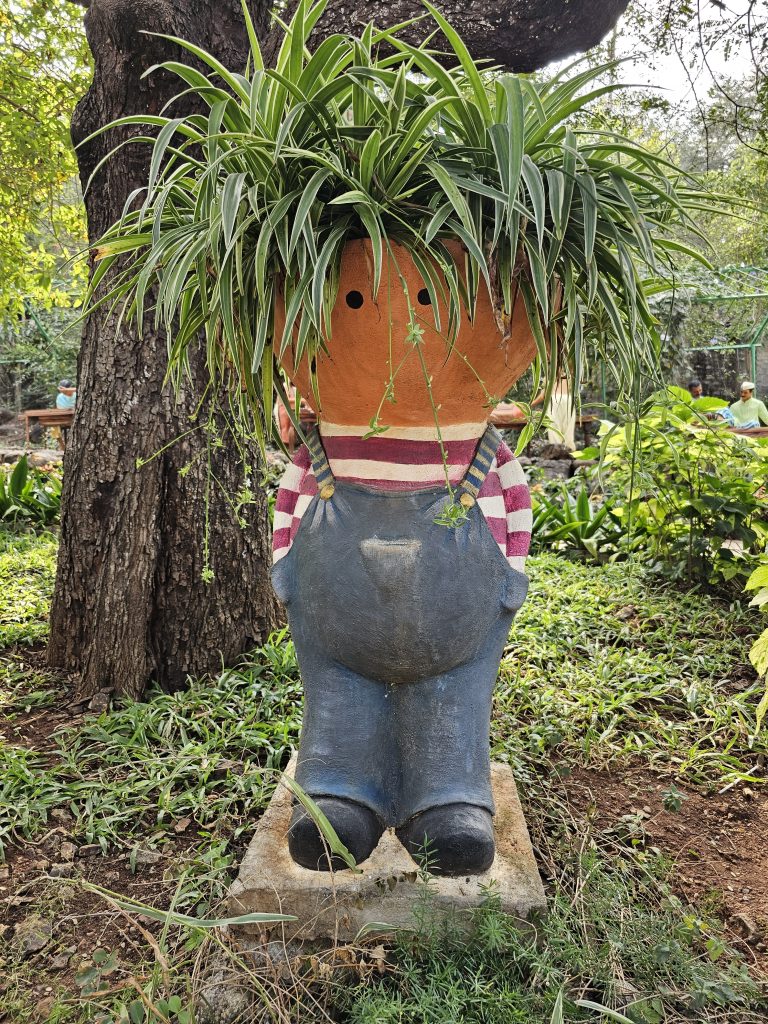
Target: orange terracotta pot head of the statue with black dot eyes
x,y
371,348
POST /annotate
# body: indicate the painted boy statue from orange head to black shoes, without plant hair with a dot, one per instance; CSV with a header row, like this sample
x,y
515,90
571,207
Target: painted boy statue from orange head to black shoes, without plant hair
x,y
400,620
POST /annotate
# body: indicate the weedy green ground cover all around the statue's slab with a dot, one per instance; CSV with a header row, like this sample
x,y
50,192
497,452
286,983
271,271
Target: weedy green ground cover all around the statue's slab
x,y
605,669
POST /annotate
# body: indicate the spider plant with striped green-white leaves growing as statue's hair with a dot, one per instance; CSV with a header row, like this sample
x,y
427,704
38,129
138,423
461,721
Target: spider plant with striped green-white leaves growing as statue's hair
x,y
372,138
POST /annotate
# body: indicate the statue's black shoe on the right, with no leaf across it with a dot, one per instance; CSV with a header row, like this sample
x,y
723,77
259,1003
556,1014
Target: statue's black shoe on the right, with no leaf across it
x,y
459,839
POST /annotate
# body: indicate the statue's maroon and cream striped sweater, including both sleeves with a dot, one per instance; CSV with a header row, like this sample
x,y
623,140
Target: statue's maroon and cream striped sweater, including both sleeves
x,y
410,459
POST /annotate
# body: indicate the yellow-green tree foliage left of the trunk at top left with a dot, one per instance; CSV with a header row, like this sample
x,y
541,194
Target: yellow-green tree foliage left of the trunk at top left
x,y
45,70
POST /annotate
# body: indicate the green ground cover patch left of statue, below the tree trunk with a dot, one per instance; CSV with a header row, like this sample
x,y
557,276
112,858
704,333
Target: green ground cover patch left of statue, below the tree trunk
x,y
211,753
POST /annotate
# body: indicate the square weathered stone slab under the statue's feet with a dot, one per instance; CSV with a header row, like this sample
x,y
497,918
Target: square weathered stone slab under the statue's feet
x,y
337,906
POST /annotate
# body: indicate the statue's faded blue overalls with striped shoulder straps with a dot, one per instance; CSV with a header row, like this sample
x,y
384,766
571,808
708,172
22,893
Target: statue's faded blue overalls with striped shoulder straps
x,y
400,626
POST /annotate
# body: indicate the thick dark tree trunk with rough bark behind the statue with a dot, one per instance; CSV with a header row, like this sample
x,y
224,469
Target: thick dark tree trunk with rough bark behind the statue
x,y
131,602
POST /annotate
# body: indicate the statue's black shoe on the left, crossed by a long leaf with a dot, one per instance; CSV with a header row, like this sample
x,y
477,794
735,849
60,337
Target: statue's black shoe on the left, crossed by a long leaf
x,y
358,828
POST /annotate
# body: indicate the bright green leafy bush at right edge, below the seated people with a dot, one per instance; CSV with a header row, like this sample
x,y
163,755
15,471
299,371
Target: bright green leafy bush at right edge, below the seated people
x,y
692,494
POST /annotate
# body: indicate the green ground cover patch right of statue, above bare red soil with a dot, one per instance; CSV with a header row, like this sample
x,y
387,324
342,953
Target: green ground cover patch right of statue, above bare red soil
x,y
606,663
